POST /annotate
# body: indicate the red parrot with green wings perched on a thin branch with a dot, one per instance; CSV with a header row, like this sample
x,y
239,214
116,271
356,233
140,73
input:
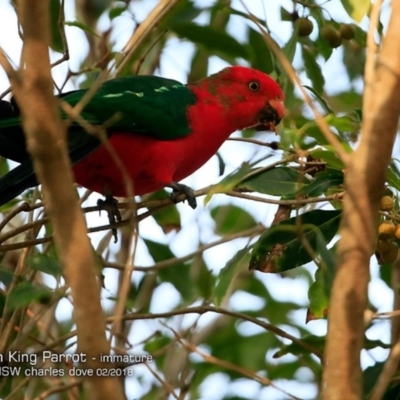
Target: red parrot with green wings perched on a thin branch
x,y
161,130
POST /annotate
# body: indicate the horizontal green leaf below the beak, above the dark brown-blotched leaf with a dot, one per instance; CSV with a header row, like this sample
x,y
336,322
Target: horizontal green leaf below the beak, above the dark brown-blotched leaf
x,y
279,181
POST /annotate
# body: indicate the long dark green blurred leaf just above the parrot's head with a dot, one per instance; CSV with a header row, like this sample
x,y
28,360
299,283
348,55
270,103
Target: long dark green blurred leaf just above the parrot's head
x,y
211,38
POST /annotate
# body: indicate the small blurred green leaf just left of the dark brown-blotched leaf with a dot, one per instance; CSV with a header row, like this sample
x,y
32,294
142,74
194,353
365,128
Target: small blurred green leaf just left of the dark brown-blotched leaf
x,y
231,219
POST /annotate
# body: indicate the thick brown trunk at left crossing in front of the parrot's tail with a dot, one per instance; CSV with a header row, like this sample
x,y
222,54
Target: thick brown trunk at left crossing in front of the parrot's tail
x,y
46,142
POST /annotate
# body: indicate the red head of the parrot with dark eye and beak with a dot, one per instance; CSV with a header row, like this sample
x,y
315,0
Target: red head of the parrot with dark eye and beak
x,y
250,98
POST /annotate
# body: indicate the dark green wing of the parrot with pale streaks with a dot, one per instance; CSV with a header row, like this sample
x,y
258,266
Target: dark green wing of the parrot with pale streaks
x,y
144,104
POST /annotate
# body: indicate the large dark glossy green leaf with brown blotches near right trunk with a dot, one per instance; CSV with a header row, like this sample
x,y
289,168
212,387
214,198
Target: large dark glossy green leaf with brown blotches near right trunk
x,y
281,247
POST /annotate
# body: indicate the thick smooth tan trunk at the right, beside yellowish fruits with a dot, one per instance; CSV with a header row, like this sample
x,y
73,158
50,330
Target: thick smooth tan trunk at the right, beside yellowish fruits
x,y
365,177
